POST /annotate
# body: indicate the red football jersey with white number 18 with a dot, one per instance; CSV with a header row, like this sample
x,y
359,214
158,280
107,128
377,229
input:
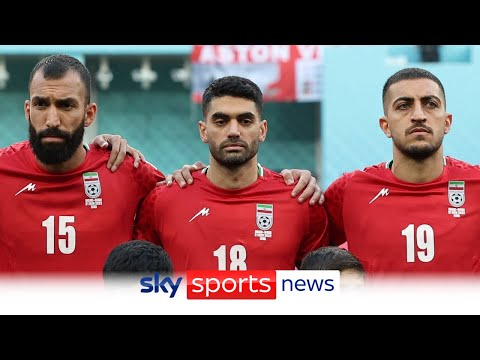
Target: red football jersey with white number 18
x,y
206,227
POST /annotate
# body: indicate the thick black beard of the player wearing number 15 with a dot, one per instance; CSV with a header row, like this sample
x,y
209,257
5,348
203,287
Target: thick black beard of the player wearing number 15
x,y
55,153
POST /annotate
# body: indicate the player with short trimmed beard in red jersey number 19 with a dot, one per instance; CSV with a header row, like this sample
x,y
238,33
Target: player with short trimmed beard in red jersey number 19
x,y
410,214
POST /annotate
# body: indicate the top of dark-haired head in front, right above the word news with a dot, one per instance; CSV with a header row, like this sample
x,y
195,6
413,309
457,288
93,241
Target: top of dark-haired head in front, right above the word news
x,y
331,258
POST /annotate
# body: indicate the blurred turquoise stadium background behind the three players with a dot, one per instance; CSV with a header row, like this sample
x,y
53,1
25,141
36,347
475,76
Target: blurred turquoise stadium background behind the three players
x,y
337,133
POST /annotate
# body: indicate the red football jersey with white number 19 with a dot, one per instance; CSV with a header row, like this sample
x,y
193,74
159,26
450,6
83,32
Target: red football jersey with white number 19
x,y
395,227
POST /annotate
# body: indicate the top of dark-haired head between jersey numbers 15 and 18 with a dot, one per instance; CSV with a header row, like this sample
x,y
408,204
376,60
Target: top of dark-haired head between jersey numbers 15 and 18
x,y
137,257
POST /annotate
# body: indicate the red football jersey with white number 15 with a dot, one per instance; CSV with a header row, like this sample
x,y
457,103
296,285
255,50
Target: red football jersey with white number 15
x,y
66,222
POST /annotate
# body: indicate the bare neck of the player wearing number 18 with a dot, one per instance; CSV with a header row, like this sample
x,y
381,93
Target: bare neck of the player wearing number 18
x,y
232,179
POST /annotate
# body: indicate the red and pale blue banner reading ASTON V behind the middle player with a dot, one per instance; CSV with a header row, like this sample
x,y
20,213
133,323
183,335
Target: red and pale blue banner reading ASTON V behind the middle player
x,y
284,73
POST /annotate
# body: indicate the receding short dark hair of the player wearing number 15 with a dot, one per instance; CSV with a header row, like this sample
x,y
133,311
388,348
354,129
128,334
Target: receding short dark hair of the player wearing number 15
x,y
56,66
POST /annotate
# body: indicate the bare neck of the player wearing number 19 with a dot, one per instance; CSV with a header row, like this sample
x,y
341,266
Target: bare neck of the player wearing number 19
x,y
418,171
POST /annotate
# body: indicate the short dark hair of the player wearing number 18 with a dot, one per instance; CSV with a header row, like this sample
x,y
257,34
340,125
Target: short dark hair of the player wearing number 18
x,y
235,86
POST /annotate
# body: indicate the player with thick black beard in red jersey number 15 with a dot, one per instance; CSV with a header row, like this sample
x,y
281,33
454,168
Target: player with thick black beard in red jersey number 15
x,y
63,210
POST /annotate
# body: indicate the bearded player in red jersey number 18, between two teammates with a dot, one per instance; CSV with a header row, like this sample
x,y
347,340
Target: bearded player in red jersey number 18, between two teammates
x,y
237,215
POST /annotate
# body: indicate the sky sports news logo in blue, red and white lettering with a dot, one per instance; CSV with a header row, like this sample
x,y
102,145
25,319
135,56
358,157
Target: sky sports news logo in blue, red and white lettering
x,y
244,285
